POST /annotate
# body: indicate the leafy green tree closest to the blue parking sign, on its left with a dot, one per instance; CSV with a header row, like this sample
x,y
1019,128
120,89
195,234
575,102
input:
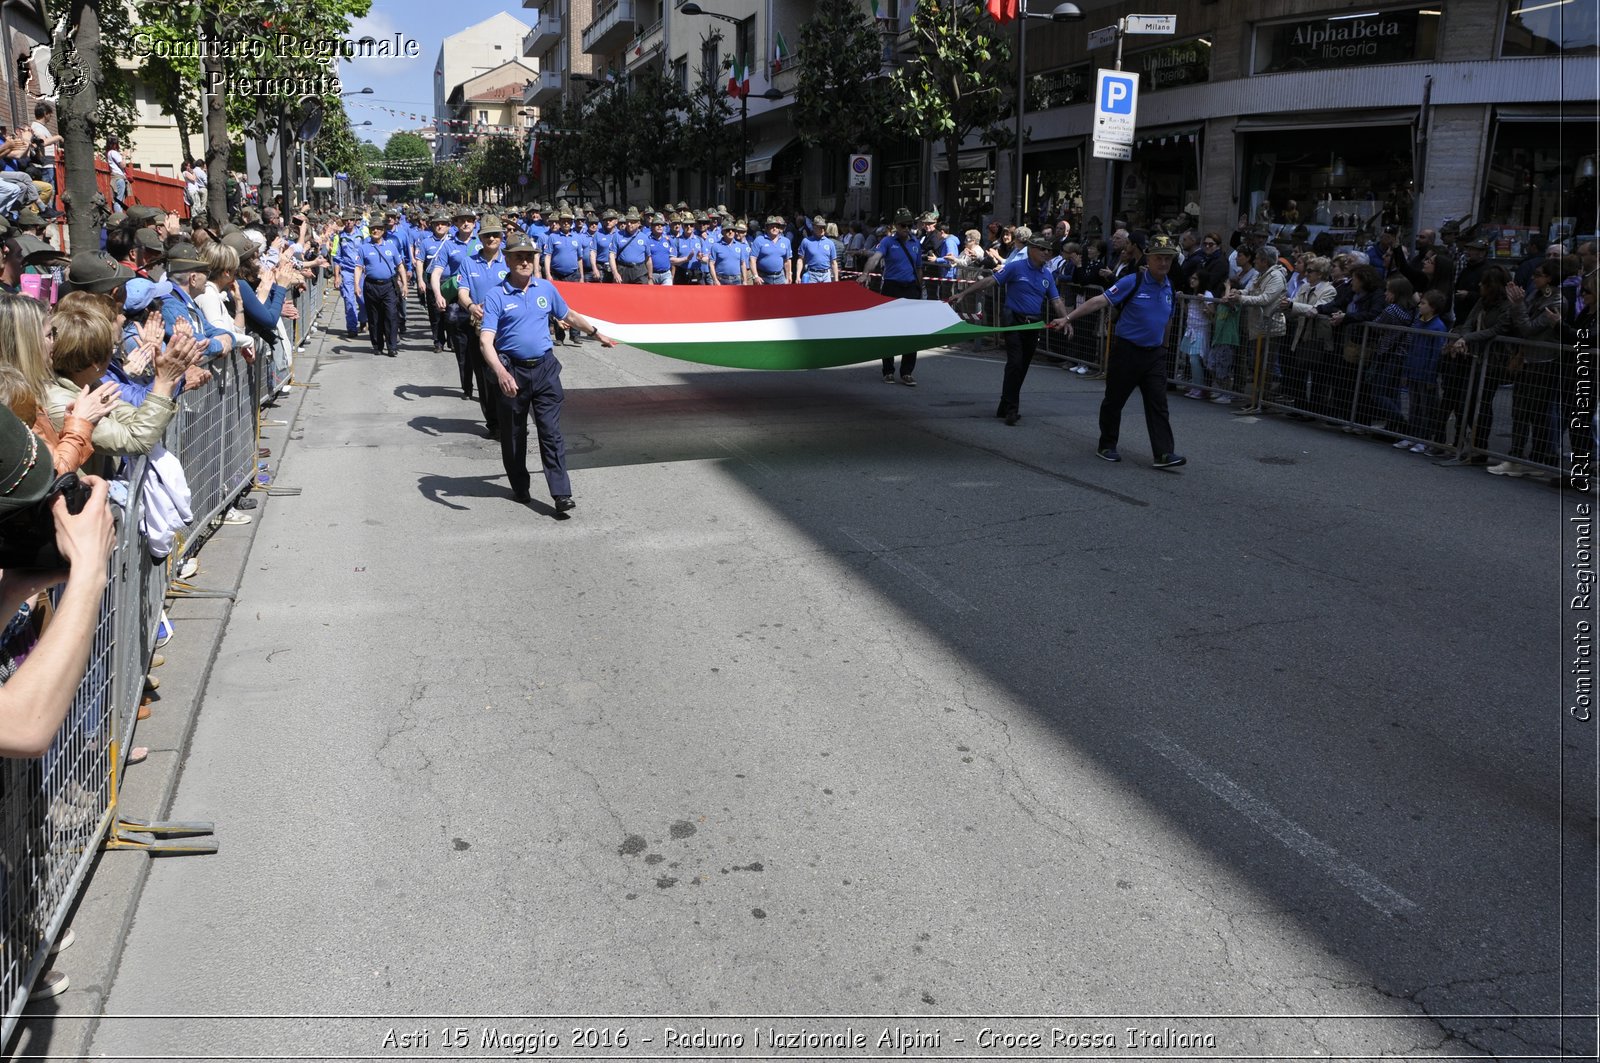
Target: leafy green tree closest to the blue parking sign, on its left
x,y
954,84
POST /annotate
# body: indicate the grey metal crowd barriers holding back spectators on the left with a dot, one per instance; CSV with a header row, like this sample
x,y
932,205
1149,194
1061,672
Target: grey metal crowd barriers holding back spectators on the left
x,y
58,811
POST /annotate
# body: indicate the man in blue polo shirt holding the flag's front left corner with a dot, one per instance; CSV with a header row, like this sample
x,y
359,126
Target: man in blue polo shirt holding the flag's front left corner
x,y
514,340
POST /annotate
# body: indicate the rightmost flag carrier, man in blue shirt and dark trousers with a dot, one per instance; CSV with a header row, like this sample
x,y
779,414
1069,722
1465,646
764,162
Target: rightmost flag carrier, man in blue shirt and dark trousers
x,y
1138,355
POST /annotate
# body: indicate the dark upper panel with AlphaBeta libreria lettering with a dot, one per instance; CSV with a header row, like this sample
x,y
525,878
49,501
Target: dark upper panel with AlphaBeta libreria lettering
x,y
1348,41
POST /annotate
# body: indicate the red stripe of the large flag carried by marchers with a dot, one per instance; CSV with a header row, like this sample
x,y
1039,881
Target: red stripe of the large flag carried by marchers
x,y
674,305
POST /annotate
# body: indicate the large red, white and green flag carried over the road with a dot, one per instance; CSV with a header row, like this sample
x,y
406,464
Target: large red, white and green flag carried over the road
x,y
769,327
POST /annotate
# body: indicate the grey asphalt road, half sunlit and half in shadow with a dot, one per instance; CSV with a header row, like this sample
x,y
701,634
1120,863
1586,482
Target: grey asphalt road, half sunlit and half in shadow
x,y
839,699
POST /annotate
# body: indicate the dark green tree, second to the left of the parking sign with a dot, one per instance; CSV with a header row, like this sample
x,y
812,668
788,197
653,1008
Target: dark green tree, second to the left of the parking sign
x,y
842,100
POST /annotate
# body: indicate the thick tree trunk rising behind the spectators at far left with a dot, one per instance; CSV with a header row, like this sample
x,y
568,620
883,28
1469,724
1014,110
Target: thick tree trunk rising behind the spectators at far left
x,y
76,62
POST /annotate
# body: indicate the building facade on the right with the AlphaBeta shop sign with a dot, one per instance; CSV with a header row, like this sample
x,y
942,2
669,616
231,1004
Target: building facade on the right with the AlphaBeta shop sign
x,y
1327,114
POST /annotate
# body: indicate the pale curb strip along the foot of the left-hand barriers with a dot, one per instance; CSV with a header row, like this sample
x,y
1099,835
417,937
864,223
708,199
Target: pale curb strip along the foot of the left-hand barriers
x,y
105,913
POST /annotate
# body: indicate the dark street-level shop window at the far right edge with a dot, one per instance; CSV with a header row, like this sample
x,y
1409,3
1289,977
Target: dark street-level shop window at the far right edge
x,y
1542,180
